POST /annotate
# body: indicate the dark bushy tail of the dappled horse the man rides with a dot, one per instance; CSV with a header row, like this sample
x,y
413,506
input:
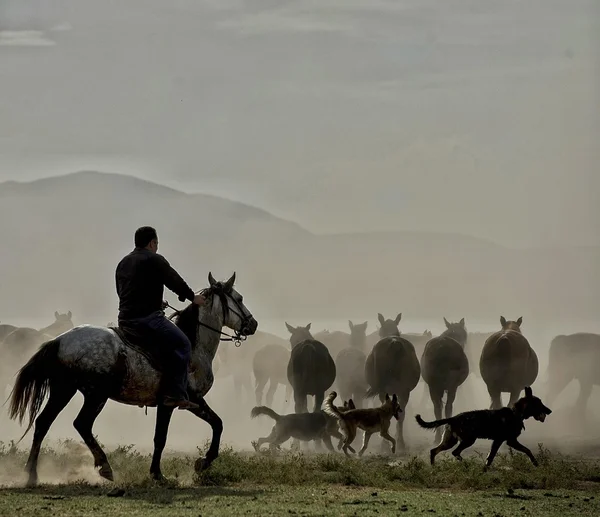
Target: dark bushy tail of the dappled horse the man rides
x,y
33,383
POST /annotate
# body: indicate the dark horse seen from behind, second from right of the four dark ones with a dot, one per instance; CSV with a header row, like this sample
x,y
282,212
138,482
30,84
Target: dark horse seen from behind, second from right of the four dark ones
x,y
444,367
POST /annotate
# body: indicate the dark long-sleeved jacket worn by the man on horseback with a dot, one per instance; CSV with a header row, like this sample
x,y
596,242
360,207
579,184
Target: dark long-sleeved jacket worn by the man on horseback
x,y
141,277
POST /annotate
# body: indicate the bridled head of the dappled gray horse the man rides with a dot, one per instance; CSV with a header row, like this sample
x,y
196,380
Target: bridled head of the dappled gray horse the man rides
x,y
224,297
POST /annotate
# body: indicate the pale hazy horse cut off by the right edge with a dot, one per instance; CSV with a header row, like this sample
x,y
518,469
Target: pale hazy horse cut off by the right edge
x,y
576,356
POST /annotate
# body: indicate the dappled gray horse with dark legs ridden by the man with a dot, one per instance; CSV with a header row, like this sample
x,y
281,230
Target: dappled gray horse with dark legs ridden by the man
x,y
95,361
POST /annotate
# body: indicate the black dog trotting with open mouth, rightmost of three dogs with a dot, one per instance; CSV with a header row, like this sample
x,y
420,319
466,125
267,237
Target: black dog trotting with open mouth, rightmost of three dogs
x,y
500,425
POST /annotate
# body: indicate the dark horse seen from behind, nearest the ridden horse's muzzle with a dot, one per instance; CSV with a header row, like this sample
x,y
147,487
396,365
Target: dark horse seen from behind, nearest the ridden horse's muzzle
x,y
311,370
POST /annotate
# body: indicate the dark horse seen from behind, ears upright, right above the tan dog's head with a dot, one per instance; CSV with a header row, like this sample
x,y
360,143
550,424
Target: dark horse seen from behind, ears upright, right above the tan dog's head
x,y
393,367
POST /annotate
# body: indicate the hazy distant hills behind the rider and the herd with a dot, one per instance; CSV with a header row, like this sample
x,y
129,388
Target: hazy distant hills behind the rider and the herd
x,y
62,237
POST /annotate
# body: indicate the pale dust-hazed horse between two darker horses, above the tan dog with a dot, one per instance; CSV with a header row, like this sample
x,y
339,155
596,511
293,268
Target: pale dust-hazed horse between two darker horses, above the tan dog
x,y
350,366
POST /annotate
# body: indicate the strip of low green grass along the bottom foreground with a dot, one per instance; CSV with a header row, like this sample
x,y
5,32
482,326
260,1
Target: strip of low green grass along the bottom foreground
x,y
300,484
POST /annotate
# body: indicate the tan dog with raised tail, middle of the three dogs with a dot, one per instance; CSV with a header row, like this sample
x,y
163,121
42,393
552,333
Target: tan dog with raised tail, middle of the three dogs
x,y
369,420
